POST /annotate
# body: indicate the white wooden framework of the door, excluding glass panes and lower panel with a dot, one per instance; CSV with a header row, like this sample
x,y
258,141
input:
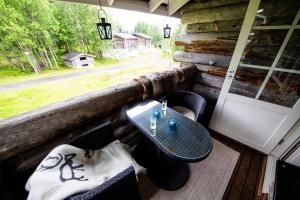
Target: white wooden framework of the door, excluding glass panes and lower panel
x,y
291,114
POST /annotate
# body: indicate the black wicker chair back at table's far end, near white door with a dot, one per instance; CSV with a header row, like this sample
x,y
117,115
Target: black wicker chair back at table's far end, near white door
x,y
189,100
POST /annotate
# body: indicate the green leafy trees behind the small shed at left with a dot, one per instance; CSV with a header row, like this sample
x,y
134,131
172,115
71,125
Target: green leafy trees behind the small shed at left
x,y
35,33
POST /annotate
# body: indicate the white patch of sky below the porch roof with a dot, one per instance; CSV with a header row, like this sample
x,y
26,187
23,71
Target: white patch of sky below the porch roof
x,y
128,19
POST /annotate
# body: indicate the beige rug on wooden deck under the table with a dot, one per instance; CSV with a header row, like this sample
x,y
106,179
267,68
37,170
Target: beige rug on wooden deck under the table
x,y
208,178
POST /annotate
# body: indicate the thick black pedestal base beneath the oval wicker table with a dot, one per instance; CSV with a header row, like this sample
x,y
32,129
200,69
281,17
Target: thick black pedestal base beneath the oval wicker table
x,y
166,172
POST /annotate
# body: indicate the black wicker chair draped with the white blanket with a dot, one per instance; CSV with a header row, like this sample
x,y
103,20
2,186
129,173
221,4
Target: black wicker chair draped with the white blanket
x,y
122,186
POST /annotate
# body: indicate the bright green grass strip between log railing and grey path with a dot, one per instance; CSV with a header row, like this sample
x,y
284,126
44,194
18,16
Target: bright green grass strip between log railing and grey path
x,y
15,102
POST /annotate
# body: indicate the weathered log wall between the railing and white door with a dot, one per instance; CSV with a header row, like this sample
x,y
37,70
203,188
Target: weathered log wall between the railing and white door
x,y
212,30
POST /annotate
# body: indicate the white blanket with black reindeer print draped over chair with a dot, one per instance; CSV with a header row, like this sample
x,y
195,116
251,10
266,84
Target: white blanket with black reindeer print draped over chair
x,y
68,170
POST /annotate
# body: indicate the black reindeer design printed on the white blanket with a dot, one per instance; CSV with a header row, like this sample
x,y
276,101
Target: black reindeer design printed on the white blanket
x,y
67,167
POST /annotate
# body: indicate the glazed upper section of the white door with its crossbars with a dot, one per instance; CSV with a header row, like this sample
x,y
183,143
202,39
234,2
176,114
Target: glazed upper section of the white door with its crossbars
x,y
269,69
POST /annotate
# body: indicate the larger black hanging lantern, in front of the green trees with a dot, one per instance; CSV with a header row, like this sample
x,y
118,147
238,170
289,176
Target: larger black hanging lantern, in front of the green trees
x,y
104,28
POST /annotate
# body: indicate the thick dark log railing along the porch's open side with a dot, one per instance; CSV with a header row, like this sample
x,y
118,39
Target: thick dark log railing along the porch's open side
x,y
26,139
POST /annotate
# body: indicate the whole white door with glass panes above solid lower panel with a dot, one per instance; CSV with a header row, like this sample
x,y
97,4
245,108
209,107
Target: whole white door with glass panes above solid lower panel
x,y
259,100
